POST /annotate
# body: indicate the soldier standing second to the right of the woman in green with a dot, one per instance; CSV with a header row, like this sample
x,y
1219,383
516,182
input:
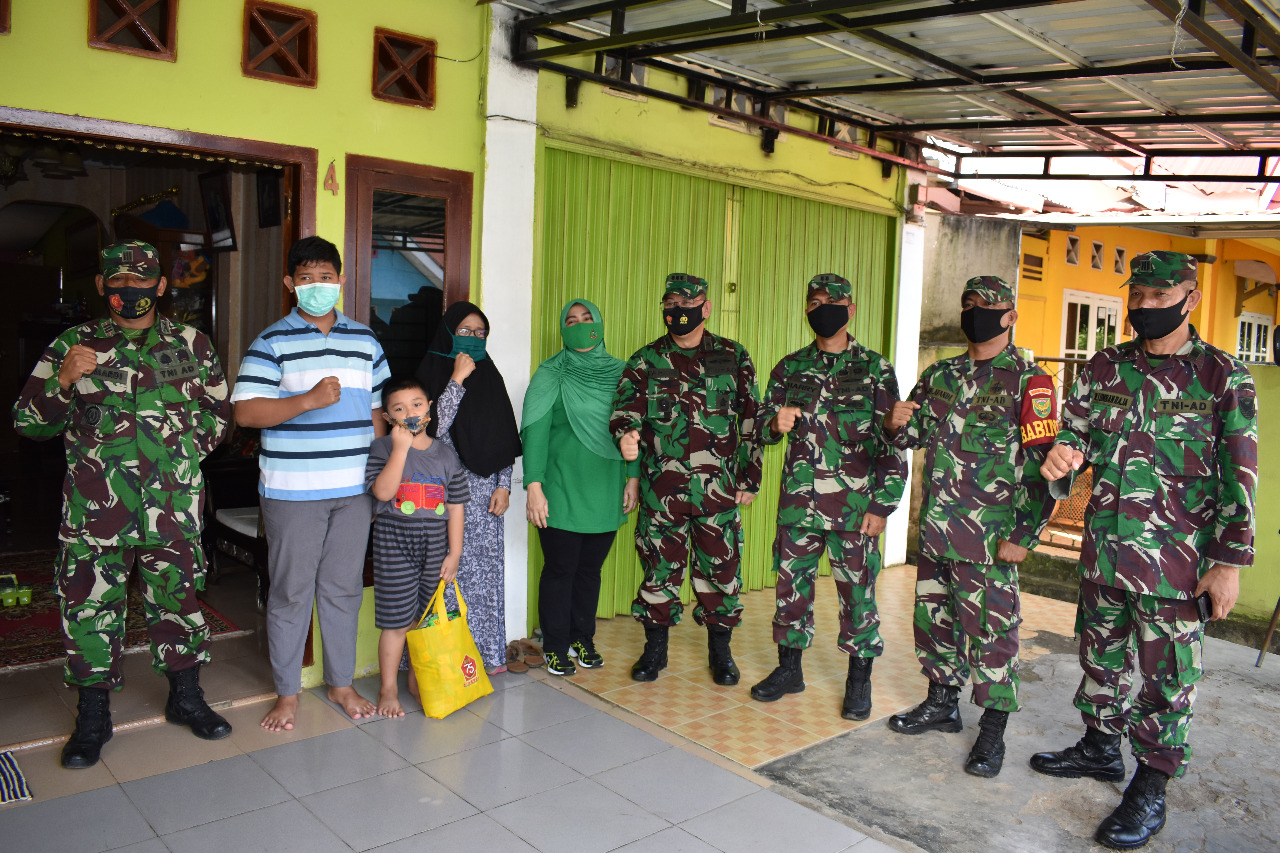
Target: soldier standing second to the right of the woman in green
x,y
840,482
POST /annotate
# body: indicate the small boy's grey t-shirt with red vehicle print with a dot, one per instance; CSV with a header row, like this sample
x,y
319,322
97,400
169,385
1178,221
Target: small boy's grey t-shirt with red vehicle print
x,y
432,480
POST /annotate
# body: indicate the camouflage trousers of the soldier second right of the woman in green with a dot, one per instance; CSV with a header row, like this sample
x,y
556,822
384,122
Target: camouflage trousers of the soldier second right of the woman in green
x,y
856,563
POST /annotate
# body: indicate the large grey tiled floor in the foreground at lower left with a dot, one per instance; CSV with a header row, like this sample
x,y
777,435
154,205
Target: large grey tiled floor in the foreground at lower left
x,y
536,767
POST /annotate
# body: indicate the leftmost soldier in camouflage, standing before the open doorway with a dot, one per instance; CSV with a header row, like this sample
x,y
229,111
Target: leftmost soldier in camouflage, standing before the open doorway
x,y
141,400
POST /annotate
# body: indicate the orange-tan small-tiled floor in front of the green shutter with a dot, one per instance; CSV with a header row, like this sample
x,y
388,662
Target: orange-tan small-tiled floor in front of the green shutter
x,y
728,722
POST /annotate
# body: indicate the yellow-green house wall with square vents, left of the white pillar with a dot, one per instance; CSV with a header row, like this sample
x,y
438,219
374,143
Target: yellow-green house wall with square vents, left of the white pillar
x,y
47,66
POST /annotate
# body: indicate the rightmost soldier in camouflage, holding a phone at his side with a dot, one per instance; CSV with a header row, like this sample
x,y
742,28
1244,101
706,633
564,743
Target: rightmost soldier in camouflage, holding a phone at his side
x,y
1169,426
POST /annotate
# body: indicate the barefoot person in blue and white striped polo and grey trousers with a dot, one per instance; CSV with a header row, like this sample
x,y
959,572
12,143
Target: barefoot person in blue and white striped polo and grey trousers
x,y
313,382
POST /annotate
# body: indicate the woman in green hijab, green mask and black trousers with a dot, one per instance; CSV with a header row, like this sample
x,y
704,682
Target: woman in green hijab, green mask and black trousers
x,y
579,487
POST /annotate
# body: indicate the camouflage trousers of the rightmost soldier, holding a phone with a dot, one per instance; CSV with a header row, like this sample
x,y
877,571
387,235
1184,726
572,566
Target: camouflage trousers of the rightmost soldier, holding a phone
x,y
1164,637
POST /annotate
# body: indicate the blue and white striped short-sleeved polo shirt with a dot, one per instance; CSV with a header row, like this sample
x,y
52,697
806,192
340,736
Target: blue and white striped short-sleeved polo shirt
x,y
321,454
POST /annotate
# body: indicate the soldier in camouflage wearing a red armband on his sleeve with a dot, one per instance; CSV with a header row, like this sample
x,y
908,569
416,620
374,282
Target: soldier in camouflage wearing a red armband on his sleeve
x,y
986,419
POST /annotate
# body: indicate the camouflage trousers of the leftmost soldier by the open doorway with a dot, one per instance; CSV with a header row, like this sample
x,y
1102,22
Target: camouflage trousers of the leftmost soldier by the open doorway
x,y
93,589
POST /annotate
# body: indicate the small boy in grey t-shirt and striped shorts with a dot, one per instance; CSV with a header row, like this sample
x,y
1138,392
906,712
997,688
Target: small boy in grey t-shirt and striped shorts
x,y
418,535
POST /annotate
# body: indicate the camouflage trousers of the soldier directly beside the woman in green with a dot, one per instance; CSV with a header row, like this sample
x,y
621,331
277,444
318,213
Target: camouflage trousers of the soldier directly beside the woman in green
x,y
664,542
